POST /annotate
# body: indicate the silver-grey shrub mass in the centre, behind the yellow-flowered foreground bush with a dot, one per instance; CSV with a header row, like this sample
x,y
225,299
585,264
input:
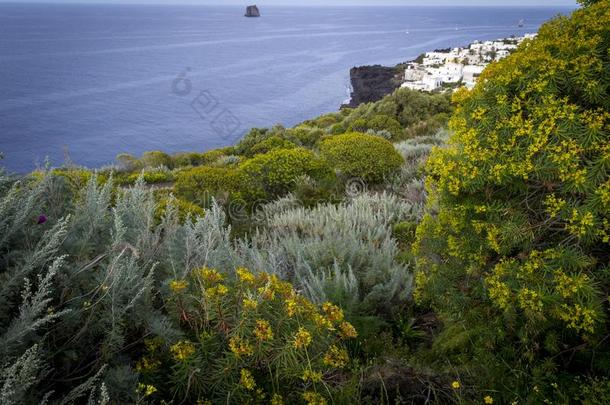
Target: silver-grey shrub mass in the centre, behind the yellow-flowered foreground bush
x,y
342,252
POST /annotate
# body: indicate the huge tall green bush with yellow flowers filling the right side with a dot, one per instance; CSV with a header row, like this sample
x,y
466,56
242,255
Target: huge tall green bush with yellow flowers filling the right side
x,y
514,254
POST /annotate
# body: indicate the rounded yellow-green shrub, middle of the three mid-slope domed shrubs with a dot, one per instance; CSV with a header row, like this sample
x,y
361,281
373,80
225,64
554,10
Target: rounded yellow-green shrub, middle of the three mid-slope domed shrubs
x,y
275,172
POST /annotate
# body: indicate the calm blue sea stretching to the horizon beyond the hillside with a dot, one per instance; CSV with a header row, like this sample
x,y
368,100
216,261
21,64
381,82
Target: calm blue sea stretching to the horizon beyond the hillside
x,y
86,82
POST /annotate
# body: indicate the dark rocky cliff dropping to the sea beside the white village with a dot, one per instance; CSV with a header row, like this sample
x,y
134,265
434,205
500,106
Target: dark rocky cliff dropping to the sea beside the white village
x,y
372,83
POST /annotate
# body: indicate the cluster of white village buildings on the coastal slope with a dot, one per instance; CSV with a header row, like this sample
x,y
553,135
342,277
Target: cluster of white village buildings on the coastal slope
x,y
435,70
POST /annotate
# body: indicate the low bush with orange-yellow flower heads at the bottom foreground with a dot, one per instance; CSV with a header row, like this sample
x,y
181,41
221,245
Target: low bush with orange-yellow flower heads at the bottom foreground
x,y
251,336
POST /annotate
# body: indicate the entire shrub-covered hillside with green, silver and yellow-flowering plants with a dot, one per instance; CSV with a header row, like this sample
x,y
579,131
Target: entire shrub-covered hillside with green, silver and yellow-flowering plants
x,y
420,249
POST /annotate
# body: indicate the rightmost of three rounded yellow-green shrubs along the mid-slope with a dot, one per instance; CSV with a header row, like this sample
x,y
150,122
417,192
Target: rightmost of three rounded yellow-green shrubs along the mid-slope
x,y
368,157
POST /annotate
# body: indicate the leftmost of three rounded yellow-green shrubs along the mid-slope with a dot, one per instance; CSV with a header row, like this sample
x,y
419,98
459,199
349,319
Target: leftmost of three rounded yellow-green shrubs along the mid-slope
x,y
202,184
